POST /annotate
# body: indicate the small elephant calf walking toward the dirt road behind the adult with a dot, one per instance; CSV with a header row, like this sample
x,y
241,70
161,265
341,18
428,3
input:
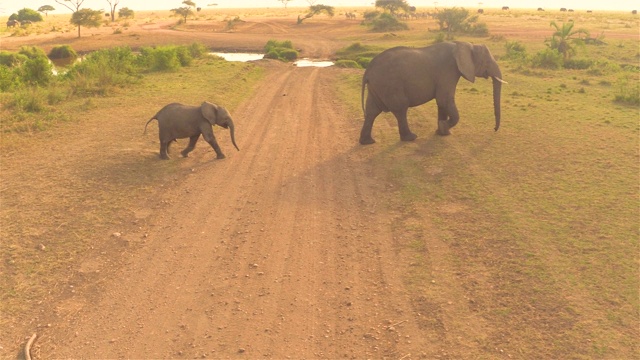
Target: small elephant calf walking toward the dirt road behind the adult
x,y
177,121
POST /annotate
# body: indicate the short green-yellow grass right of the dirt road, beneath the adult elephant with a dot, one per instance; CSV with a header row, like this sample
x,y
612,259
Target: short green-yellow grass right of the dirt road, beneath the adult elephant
x,y
545,209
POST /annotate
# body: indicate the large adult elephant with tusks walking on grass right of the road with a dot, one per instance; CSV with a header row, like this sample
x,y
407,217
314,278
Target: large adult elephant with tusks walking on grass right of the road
x,y
403,77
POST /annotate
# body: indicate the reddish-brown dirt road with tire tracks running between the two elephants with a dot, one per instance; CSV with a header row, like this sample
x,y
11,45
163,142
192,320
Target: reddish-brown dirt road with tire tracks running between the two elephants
x,y
280,250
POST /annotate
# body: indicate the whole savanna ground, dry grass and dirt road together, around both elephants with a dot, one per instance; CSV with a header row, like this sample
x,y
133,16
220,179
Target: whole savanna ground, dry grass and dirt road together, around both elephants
x,y
521,243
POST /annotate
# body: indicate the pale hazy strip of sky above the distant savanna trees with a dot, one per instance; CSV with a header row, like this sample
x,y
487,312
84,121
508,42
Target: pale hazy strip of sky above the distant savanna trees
x,y
7,7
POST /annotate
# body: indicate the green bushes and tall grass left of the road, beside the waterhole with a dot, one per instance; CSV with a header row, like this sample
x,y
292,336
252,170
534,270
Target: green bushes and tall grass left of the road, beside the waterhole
x,y
32,91
